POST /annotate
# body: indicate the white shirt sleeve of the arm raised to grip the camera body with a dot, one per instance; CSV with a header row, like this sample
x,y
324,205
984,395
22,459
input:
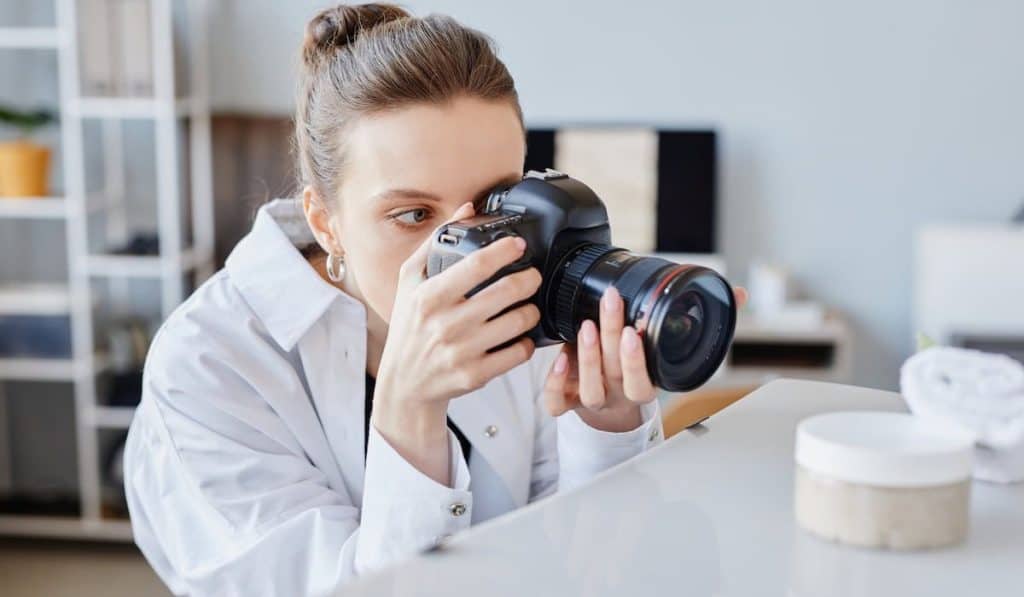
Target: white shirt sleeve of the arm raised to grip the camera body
x,y
226,501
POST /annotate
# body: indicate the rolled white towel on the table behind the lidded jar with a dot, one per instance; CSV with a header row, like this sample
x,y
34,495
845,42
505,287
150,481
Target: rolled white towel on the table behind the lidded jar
x,y
982,393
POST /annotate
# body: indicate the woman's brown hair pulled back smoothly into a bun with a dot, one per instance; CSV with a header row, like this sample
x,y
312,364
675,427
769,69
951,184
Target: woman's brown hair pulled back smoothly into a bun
x,y
367,59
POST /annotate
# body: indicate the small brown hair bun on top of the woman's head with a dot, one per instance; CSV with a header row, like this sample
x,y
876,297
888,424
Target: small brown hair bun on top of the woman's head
x,y
335,28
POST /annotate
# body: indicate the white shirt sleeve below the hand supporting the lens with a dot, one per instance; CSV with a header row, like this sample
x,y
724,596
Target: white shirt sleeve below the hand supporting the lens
x,y
568,452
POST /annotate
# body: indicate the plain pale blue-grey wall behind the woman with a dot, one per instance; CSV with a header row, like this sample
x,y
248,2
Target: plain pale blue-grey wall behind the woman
x,y
844,126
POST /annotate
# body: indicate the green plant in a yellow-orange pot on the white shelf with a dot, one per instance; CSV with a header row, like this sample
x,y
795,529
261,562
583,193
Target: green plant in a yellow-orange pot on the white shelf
x,y
24,165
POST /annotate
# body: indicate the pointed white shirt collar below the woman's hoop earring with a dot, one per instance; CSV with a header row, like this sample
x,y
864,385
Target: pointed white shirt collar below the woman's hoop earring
x,y
277,281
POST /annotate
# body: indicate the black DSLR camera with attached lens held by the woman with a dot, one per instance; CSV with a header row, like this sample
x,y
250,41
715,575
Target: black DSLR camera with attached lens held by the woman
x,y
686,315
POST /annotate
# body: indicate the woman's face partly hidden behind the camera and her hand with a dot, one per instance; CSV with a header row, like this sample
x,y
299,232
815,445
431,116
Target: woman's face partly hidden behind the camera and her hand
x,y
407,173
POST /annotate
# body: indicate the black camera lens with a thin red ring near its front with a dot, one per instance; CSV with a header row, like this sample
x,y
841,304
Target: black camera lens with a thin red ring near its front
x,y
687,315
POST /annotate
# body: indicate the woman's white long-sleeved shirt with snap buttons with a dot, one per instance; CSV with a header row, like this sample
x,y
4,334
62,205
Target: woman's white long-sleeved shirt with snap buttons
x,y
245,471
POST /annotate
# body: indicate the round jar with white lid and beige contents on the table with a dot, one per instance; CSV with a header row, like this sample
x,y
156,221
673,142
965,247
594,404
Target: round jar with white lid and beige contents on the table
x,y
883,480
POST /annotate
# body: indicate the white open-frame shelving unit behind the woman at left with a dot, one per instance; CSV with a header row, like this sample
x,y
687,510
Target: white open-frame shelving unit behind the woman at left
x,y
166,110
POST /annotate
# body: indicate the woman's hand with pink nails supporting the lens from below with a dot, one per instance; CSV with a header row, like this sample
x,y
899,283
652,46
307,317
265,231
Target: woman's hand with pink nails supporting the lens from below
x,y
604,376
